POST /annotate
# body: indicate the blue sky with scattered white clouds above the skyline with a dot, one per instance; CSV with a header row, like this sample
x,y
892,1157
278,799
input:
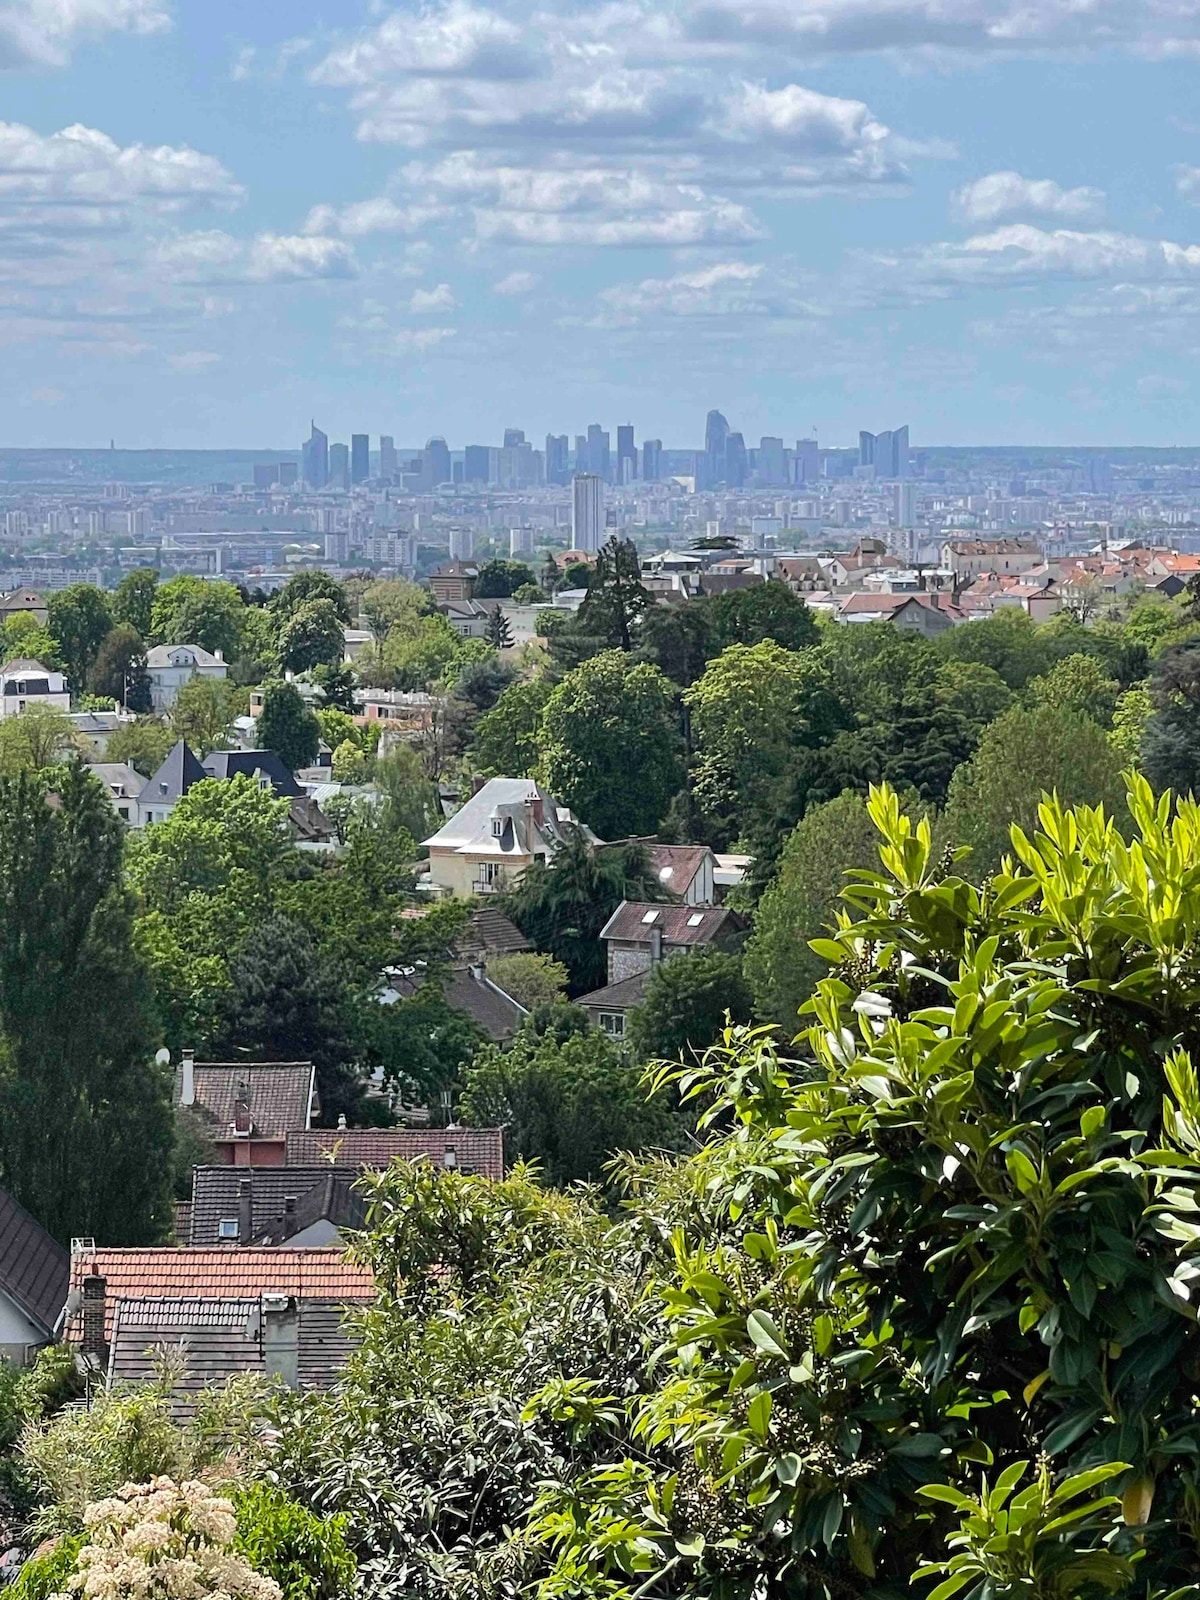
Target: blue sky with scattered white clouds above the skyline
x,y
220,220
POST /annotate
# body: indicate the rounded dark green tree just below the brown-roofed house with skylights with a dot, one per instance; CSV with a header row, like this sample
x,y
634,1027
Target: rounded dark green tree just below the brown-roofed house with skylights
x,y
687,1004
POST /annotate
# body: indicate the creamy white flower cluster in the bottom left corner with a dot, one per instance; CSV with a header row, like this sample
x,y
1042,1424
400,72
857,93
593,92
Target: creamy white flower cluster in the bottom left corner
x,y
164,1542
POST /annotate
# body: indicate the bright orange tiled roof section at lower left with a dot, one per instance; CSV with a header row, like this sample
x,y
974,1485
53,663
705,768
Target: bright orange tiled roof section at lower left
x,y
218,1276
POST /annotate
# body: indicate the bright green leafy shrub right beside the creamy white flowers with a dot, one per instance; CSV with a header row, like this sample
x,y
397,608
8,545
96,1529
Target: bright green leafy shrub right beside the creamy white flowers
x,y
305,1554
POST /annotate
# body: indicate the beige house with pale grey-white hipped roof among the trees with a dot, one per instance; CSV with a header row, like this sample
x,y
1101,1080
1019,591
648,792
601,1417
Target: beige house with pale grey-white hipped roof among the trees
x,y
503,830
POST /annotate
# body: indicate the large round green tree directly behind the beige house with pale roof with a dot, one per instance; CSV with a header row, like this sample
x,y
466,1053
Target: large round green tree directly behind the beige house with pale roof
x,y
610,745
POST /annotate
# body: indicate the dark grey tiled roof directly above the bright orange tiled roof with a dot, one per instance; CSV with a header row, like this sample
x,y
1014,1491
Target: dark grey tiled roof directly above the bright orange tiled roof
x,y
318,1193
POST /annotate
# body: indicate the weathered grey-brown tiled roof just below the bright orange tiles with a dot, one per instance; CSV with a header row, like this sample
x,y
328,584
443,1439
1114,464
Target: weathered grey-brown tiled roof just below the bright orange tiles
x,y
222,1338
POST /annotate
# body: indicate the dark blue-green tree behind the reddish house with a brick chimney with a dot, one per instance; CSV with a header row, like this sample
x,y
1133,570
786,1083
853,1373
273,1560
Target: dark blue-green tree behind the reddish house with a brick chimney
x,y
286,1004
